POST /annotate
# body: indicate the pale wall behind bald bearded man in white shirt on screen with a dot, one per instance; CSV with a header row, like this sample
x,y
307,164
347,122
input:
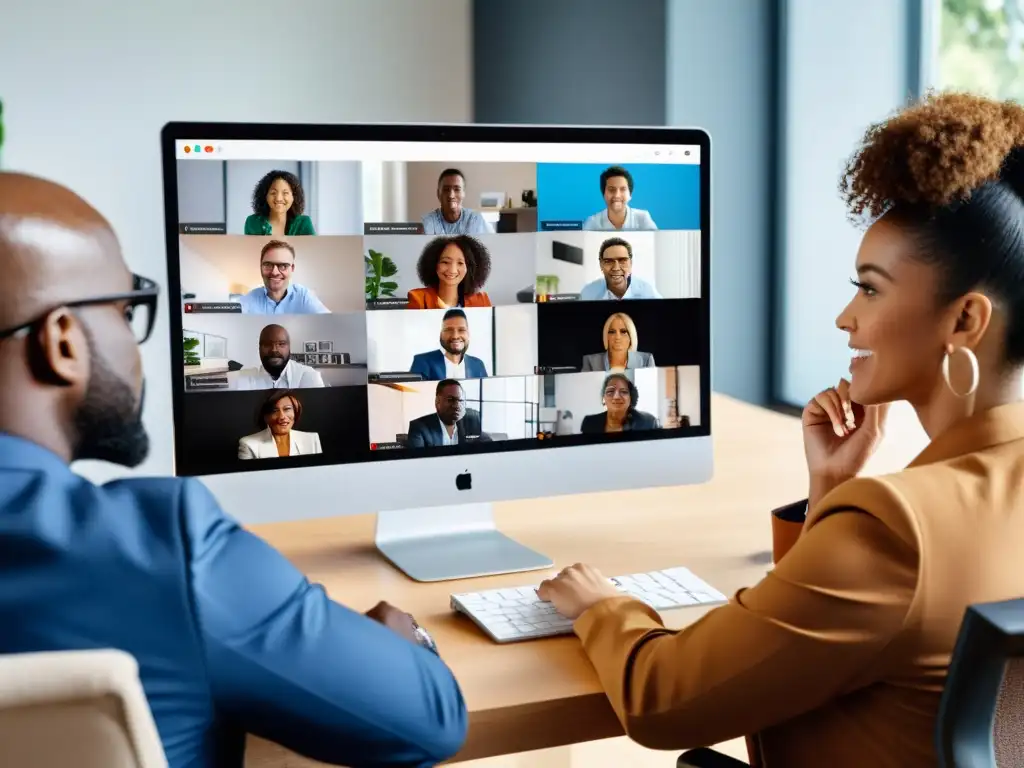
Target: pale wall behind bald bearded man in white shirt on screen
x,y
349,333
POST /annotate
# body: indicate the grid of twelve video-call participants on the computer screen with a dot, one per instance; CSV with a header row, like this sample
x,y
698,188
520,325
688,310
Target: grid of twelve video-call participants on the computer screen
x,y
467,314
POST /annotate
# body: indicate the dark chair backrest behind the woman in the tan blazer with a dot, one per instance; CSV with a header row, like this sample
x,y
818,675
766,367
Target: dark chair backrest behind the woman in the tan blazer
x,y
982,715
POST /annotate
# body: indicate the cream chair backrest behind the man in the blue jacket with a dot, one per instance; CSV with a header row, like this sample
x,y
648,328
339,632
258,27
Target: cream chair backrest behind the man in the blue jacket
x,y
81,708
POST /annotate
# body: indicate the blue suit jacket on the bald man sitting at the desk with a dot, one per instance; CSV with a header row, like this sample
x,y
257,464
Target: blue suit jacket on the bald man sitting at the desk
x,y
230,637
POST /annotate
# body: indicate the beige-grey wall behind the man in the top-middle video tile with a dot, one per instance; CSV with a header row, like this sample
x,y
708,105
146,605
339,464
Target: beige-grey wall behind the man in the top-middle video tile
x,y
511,179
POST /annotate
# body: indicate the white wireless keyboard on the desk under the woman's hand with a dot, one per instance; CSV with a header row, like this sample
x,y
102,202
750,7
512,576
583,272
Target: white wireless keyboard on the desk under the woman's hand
x,y
518,614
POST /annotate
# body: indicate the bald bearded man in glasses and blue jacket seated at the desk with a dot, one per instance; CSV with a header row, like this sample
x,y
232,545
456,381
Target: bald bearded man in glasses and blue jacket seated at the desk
x,y
229,636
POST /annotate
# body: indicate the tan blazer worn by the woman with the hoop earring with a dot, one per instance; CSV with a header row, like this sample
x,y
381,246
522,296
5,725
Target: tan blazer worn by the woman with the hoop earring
x,y
839,656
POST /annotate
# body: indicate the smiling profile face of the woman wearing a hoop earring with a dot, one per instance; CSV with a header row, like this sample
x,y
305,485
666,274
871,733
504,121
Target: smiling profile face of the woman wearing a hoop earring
x,y
894,323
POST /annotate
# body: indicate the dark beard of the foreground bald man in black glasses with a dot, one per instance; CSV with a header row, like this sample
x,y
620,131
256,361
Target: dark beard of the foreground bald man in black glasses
x,y
108,423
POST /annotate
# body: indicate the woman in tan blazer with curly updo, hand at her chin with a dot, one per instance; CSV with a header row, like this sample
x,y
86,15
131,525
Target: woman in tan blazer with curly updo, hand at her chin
x,y
840,655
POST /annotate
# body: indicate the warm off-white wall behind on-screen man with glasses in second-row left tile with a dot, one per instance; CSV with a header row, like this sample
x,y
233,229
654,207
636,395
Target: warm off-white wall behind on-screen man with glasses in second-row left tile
x,y
215,267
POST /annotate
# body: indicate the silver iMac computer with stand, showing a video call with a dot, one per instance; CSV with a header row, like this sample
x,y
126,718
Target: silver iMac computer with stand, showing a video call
x,y
419,321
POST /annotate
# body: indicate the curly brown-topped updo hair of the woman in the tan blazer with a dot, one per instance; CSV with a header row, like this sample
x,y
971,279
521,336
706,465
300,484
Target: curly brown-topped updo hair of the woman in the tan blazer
x,y
950,172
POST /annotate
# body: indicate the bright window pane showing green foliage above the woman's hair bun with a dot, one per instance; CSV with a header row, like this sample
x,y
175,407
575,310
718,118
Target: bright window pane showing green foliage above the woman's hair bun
x,y
980,48
